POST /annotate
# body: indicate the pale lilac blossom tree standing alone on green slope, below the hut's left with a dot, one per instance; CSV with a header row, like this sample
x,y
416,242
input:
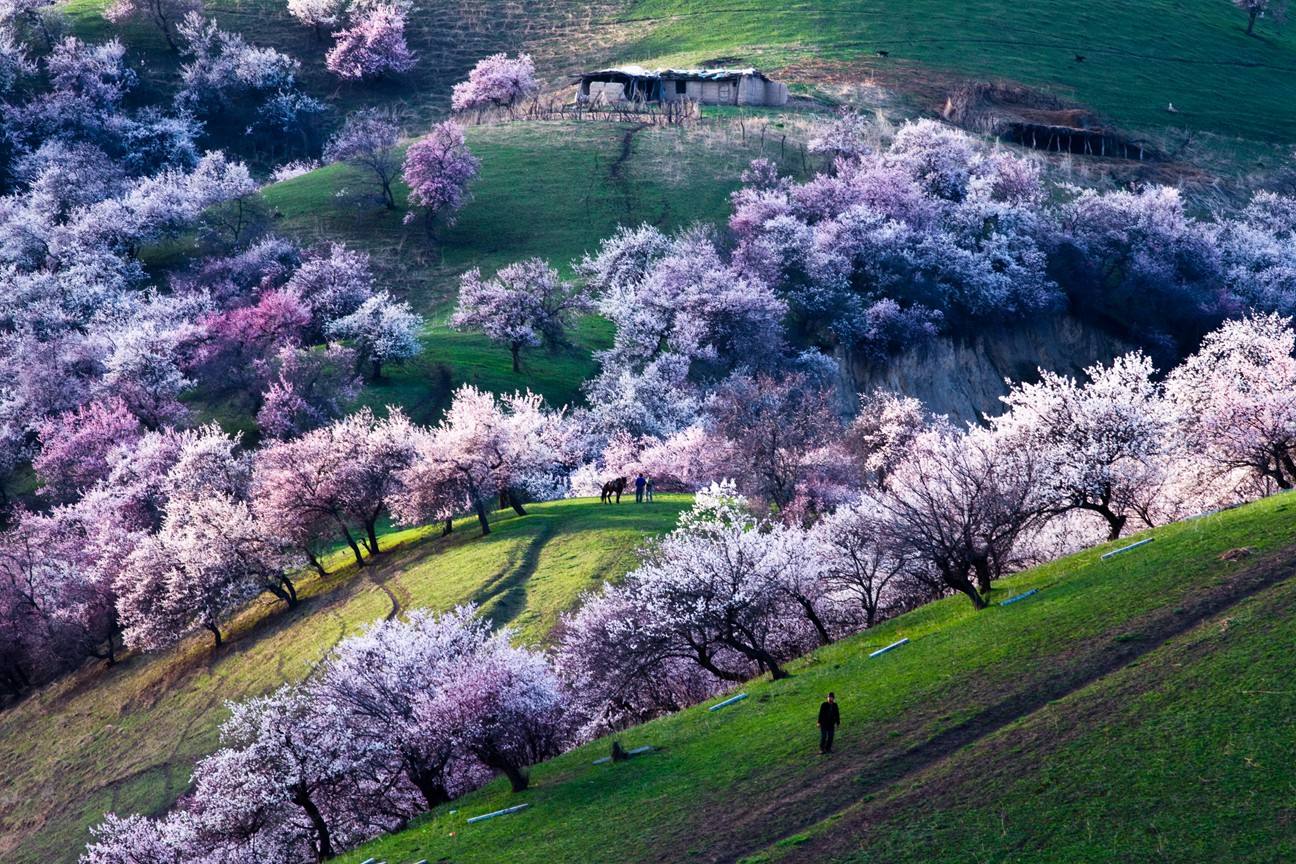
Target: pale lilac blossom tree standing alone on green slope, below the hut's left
x,y
524,305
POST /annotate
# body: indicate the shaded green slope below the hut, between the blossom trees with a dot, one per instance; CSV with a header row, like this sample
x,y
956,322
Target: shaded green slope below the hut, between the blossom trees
x,y
550,190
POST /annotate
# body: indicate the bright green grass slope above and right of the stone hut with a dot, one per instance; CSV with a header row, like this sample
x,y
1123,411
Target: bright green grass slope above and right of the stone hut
x,y
1139,56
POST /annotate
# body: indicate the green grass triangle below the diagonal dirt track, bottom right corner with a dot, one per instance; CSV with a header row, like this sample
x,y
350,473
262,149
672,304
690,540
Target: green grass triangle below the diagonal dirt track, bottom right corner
x,y
1185,757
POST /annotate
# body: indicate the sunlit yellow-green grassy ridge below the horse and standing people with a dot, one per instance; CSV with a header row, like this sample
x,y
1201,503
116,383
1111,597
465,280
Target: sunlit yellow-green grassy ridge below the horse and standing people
x,y
125,739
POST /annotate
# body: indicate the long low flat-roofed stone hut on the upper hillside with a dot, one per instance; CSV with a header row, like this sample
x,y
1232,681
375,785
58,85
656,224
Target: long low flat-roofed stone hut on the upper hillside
x,y
704,86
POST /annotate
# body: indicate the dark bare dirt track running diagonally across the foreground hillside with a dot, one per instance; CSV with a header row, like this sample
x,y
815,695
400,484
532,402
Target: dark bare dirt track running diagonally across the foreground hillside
x,y
861,774
